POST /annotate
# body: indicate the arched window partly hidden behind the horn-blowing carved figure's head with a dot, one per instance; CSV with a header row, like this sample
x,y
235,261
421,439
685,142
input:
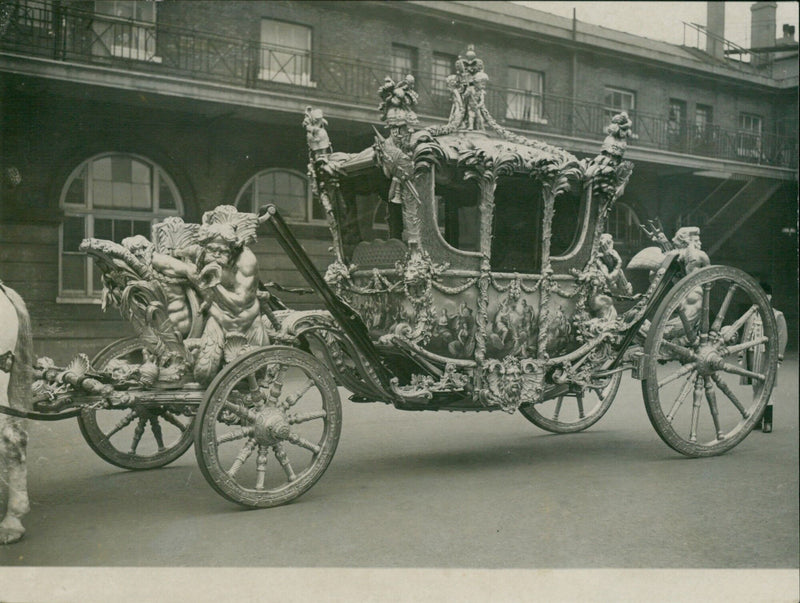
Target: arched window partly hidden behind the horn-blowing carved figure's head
x,y
287,189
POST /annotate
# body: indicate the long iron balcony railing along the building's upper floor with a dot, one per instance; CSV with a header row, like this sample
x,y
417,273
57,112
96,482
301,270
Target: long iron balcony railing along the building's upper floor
x,y
65,33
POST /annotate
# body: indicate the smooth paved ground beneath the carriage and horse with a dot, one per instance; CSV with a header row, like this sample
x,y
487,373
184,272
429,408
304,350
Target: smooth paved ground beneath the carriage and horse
x,y
439,490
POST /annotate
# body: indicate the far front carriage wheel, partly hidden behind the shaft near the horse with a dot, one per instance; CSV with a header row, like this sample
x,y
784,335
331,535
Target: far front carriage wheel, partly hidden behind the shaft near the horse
x,y
135,437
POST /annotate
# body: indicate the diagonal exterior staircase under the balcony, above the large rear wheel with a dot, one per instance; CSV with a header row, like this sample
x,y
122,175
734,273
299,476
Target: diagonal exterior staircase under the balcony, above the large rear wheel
x,y
727,208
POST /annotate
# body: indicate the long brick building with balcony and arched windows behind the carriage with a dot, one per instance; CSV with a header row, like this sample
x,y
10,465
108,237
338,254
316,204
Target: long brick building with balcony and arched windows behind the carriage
x,y
116,114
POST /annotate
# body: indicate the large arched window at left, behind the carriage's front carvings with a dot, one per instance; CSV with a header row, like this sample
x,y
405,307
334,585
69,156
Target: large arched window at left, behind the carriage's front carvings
x,y
110,196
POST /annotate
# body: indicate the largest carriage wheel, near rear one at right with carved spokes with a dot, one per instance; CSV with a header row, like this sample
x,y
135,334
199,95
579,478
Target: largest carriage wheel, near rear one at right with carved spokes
x,y
701,393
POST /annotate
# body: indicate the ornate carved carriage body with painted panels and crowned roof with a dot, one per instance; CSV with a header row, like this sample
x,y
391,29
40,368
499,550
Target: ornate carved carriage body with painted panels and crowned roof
x,y
494,275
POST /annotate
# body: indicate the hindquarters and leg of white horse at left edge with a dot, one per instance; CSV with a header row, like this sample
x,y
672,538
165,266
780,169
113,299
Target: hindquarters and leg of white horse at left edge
x,y
16,369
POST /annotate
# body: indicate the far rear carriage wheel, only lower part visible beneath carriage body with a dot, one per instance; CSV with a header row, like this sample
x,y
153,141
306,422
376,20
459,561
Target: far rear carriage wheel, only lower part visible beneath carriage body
x,y
571,413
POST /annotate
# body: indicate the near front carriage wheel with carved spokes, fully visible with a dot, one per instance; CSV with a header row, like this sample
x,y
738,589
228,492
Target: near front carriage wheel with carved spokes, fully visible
x,y
268,426
